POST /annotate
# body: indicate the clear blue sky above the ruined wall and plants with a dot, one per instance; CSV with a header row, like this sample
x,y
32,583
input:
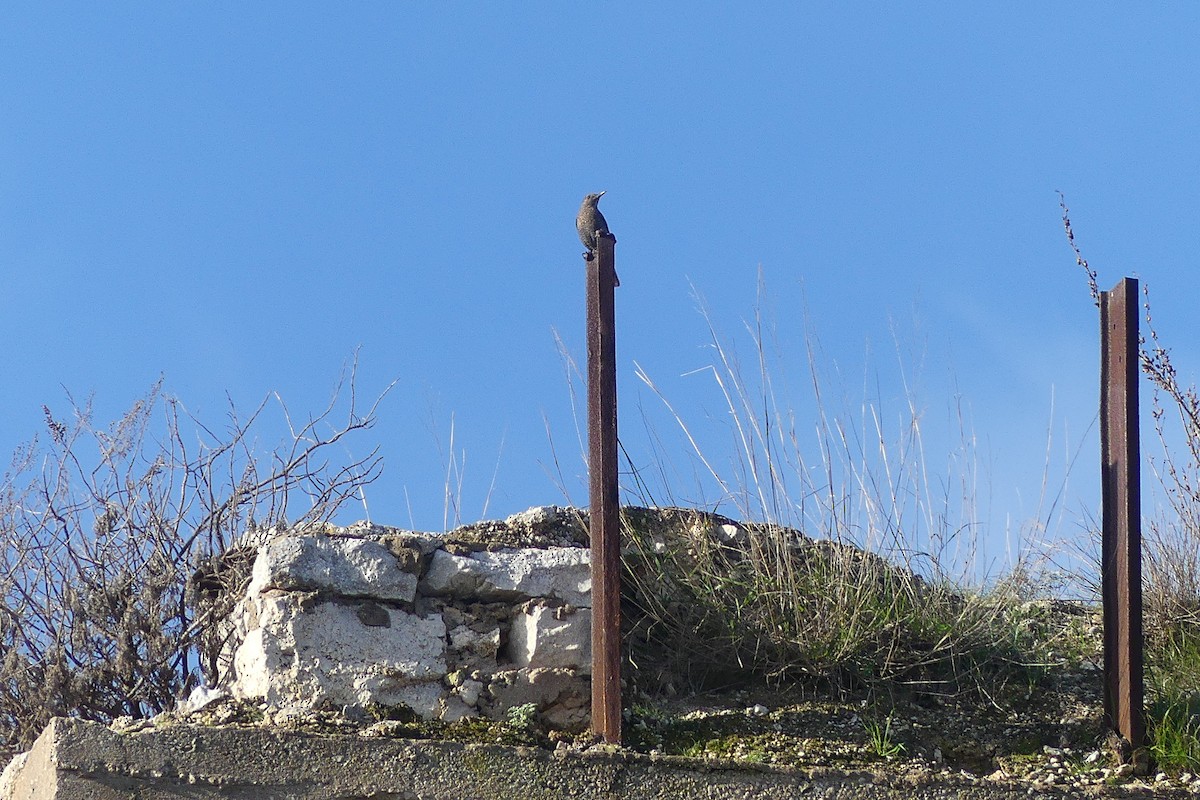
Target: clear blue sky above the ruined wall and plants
x,y
238,197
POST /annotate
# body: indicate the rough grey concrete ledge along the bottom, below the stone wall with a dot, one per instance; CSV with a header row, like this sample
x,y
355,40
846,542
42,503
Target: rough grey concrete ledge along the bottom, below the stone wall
x,y
85,760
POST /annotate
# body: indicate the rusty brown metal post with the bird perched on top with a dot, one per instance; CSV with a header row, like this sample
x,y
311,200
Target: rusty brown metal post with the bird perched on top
x,y
604,495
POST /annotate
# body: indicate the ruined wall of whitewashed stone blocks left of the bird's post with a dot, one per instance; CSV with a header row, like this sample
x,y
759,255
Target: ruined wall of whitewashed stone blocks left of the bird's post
x,y
370,617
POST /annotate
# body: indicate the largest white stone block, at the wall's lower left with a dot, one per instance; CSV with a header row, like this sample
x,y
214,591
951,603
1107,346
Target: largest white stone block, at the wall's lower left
x,y
327,655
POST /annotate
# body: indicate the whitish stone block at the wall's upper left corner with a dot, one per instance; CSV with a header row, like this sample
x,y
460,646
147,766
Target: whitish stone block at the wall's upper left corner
x,y
351,568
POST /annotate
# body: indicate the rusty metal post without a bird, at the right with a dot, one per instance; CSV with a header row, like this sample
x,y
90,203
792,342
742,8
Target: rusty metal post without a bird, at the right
x,y
1121,478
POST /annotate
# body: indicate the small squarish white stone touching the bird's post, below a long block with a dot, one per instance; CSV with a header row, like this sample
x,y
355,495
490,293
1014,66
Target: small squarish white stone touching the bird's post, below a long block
x,y
553,637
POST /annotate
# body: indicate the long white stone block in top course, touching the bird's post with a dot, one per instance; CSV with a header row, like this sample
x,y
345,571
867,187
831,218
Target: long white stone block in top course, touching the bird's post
x,y
563,574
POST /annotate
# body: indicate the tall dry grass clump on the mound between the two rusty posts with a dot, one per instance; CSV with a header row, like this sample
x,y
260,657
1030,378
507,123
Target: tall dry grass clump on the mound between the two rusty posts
x,y
874,594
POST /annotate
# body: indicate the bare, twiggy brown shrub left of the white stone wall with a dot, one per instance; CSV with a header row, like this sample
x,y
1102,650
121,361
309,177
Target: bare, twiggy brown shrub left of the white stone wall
x,y
121,546
